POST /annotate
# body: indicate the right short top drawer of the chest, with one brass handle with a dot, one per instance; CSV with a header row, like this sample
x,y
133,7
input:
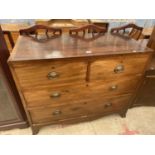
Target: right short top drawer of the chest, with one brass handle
x,y
118,66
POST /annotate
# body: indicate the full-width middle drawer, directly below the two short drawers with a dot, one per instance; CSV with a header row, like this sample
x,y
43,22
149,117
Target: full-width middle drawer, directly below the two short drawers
x,y
55,96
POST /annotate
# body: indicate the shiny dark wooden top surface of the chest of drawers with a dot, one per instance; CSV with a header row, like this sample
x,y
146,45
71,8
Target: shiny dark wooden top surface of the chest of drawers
x,y
68,47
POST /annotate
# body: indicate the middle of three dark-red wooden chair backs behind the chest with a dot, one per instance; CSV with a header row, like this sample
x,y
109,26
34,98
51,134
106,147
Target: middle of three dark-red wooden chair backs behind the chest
x,y
83,31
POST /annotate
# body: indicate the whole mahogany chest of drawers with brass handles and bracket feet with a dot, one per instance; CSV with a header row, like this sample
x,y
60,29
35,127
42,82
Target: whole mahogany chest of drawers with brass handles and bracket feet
x,y
66,80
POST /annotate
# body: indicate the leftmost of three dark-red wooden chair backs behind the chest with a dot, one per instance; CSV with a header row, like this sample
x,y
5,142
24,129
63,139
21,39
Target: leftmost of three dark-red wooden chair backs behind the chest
x,y
45,31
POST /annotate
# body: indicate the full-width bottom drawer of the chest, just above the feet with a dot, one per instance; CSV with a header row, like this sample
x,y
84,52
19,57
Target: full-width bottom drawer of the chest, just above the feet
x,y
100,106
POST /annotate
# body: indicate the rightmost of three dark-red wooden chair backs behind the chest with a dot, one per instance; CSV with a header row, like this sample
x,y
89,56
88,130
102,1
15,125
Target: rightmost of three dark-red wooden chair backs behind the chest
x,y
135,32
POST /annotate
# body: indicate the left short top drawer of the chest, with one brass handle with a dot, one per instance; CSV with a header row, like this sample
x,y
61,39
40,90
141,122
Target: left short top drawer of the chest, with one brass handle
x,y
38,75
